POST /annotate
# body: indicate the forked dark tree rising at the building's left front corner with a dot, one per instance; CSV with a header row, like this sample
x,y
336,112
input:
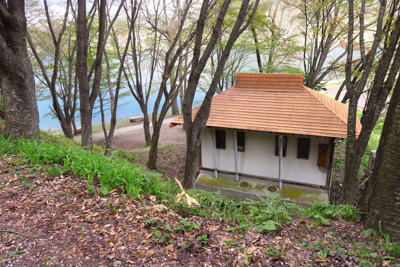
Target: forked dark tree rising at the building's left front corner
x,y
194,126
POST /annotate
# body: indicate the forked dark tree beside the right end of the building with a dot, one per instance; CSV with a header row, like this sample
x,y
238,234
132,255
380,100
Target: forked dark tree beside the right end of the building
x,y
385,75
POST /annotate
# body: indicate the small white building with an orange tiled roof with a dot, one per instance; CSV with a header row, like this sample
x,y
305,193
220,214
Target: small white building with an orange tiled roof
x,y
268,132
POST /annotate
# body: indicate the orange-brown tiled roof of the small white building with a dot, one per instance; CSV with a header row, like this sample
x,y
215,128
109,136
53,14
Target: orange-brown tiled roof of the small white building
x,y
277,102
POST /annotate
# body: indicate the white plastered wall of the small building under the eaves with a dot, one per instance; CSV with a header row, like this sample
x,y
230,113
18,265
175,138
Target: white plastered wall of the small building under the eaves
x,y
259,157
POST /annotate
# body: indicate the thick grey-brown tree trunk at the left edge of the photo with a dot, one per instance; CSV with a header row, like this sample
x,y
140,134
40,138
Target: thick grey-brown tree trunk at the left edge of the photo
x,y
16,75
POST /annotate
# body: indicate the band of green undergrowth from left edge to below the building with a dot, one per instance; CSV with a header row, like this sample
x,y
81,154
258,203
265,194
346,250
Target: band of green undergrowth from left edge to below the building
x,y
266,215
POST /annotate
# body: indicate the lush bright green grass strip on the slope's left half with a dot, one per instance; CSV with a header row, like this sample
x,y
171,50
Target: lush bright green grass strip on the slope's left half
x,y
111,172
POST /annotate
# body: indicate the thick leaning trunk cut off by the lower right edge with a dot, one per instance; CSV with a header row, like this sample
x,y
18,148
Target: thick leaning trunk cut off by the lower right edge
x,y
382,205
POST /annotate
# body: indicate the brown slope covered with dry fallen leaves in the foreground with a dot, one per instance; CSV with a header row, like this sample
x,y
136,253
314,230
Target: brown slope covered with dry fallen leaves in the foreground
x,y
52,220
